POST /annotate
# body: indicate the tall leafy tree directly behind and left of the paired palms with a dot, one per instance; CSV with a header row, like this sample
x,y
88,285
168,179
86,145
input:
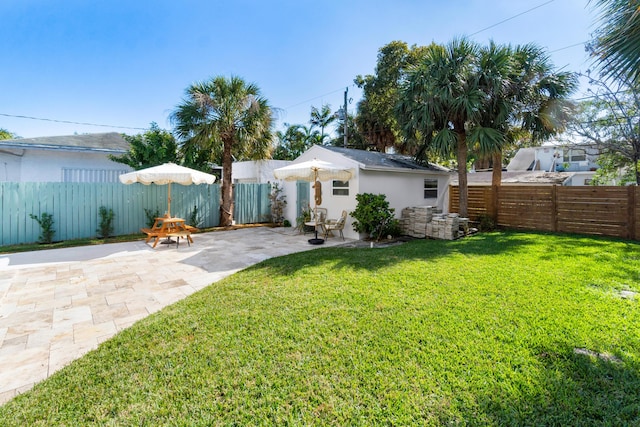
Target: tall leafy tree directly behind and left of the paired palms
x,y
380,93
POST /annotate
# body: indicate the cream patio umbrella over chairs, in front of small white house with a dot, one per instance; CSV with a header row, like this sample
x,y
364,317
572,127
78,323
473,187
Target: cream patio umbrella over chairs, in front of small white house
x,y
312,171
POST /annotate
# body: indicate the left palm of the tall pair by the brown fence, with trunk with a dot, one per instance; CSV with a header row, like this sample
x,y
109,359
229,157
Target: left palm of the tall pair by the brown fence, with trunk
x,y
441,102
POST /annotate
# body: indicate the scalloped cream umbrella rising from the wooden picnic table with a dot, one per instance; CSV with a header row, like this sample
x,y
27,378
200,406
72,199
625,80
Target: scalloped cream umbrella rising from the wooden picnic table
x,y
167,173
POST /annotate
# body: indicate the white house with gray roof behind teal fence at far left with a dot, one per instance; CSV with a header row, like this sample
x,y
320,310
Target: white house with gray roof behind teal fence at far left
x,y
73,158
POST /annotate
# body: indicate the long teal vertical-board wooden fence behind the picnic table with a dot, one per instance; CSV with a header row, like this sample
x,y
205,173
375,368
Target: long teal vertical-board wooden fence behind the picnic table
x,y
75,207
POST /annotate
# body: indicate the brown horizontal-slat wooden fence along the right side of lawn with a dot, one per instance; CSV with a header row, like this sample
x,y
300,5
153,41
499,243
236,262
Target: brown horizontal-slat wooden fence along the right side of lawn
x,y
608,211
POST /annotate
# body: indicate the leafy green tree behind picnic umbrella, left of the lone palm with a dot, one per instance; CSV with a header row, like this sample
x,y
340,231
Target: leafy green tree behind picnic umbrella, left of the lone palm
x,y
154,147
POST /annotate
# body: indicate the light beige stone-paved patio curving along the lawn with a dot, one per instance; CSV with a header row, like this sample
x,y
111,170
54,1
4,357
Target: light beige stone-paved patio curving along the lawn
x,y
57,305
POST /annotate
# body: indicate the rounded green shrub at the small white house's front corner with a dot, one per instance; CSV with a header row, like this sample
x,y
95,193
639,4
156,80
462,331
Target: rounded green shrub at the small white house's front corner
x,y
373,215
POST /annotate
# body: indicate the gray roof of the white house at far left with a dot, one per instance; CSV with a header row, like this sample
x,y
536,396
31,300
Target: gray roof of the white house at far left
x,y
111,143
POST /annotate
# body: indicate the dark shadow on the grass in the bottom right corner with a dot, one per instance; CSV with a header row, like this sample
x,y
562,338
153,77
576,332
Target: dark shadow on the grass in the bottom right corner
x,y
578,387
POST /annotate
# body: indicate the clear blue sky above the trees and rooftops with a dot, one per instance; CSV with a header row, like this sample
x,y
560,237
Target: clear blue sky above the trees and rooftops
x,y
128,63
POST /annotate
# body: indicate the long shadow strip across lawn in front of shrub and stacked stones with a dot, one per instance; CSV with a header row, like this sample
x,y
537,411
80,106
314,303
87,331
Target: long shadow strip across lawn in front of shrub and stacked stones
x,y
416,250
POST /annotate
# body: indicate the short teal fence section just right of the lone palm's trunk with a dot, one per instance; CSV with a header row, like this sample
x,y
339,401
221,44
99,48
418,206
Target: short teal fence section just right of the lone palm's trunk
x,y
251,203
